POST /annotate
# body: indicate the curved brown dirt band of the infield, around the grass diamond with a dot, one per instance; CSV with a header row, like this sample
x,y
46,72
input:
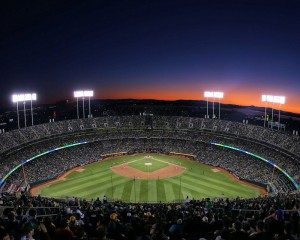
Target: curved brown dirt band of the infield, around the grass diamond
x,y
125,170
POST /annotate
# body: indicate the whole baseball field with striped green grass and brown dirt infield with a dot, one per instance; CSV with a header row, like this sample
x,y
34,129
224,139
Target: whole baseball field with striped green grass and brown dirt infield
x,y
147,178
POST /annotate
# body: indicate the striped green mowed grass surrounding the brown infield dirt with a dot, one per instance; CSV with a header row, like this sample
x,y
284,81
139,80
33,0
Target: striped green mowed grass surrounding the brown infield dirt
x,y
198,181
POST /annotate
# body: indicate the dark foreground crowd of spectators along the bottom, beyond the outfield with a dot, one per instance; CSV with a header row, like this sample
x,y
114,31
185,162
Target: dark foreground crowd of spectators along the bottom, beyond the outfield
x,y
27,217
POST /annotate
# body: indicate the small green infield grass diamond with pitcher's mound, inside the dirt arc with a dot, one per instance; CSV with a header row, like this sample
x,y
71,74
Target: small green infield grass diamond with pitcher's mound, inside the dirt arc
x,y
155,164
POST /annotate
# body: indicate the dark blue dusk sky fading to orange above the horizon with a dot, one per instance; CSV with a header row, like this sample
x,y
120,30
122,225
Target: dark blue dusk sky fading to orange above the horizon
x,y
149,49
